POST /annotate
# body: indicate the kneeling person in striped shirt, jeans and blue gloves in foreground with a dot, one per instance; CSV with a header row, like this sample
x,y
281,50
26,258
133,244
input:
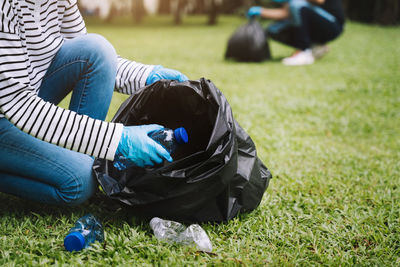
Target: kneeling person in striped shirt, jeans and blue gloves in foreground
x,y
47,152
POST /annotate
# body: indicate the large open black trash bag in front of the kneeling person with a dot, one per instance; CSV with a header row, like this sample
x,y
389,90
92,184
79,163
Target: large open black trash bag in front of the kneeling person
x,y
212,178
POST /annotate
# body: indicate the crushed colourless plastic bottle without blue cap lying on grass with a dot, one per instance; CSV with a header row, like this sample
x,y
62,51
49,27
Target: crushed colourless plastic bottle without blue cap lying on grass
x,y
174,232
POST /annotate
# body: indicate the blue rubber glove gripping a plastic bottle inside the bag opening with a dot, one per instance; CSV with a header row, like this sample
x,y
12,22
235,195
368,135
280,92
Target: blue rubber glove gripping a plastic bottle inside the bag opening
x,y
138,149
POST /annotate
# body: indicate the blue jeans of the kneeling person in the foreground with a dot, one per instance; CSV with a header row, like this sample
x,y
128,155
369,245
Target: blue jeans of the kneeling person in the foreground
x,y
43,172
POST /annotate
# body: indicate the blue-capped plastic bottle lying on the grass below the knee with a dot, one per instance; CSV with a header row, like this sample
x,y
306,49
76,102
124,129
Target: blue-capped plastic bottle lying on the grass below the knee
x,y
87,230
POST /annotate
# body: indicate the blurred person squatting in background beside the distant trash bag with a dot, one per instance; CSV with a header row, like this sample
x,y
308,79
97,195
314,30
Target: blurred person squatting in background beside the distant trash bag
x,y
306,25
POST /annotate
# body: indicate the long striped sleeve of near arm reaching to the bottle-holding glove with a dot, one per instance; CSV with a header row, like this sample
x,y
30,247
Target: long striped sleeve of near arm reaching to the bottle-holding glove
x,y
20,104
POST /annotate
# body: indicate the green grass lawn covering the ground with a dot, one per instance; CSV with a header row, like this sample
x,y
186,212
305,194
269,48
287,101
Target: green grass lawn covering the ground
x,y
328,132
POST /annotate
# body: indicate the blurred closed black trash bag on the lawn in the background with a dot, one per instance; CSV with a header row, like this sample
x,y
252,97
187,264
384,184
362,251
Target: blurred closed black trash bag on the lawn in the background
x,y
248,43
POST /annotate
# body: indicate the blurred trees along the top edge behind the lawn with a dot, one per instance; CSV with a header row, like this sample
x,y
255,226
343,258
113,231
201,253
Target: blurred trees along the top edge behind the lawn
x,y
385,12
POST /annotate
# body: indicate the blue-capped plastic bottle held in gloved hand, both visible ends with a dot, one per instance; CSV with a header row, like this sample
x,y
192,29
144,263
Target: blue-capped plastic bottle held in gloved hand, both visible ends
x,y
168,138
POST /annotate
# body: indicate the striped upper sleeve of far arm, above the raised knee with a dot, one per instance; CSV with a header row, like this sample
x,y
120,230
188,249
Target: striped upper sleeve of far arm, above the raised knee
x,y
72,24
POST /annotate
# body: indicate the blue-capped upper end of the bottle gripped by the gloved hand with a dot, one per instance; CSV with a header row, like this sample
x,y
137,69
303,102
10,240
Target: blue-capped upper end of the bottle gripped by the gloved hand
x,y
170,139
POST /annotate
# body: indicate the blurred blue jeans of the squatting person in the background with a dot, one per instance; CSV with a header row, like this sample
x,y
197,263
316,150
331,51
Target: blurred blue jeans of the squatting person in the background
x,y
308,24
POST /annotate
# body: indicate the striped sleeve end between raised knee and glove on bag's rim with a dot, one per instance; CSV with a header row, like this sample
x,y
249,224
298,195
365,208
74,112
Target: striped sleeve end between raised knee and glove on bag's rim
x,y
131,76
